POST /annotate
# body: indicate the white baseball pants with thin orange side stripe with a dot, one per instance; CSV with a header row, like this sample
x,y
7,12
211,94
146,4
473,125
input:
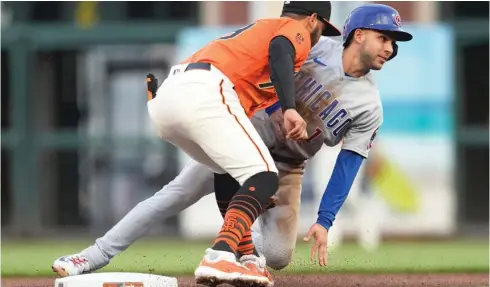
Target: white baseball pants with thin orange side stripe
x,y
199,112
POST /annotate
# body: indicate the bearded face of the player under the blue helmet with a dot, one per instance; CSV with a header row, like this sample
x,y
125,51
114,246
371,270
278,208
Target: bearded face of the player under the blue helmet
x,y
376,49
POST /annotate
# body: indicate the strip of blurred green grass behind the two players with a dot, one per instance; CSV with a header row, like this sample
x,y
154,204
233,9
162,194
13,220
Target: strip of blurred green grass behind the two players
x,y
26,258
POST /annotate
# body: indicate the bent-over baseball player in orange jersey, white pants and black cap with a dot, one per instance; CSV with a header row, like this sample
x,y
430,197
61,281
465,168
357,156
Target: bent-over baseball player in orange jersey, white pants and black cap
x,y
204,105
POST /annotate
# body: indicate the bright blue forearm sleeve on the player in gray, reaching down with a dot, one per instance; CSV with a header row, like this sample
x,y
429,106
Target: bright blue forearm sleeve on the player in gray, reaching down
x,y
343,175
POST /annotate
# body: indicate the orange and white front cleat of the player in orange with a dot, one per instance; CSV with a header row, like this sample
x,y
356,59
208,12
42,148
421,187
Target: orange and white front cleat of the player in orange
x,y
219,267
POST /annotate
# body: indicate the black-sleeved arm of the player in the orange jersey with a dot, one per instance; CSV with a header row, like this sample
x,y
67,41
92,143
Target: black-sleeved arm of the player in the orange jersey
x,y
281,65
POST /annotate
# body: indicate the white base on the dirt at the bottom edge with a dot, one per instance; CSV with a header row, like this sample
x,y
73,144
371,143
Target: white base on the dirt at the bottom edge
x,y
116,279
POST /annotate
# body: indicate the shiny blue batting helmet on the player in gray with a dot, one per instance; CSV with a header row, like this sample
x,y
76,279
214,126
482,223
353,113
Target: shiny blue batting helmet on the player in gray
x,y
379,17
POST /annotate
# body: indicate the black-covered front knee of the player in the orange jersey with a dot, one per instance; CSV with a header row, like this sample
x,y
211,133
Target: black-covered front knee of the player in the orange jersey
x,y
263,185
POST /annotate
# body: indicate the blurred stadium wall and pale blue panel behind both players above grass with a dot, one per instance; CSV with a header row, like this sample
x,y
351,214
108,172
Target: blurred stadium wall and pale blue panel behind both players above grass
x,y
78,151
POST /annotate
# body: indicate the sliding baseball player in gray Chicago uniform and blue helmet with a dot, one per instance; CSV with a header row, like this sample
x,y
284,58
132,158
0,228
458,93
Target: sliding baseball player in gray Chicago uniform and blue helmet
x,y
338,98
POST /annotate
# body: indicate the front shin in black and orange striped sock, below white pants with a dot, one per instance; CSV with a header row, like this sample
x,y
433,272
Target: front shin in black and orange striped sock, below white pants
x,y
244,208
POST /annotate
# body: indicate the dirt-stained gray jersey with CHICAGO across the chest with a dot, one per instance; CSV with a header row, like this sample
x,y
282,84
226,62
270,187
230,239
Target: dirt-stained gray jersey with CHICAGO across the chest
x,y
335,106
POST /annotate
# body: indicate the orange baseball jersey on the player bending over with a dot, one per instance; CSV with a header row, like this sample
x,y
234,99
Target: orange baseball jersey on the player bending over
x,y
243,56
